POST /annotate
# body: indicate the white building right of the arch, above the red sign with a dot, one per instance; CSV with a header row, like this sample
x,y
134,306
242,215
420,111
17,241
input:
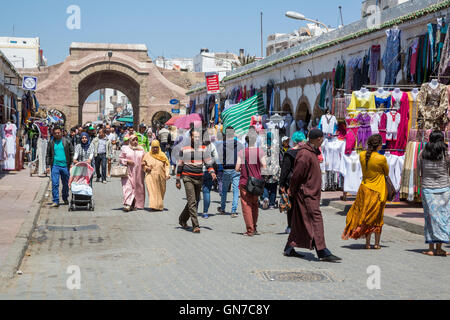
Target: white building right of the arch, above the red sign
x,y
207,61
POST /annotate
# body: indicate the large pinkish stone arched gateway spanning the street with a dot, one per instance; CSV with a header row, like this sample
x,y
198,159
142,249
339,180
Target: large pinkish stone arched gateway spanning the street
x,y
92,66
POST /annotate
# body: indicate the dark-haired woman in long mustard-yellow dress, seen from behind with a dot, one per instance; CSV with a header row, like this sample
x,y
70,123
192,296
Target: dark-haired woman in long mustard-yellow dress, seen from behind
x,y
366,214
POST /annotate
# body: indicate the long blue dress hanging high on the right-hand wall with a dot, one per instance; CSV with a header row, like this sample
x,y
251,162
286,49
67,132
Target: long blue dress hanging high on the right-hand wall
x,y
391,58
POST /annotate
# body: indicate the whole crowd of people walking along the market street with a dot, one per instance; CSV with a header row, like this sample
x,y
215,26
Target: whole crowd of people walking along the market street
x,y
247,169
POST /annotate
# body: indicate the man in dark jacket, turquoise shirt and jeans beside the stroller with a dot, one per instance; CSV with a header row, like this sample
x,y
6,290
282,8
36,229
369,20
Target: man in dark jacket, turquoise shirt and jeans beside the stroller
x,y
59,158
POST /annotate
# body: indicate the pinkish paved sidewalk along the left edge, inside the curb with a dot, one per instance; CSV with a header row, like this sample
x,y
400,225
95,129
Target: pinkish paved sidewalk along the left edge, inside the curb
x,y
20,198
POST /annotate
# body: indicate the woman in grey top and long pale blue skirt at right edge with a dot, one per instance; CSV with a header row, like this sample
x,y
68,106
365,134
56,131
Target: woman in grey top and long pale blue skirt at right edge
x,y
434,166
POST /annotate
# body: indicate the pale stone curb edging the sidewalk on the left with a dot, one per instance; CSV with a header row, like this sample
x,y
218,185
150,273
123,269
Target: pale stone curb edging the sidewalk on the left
x,y
21,241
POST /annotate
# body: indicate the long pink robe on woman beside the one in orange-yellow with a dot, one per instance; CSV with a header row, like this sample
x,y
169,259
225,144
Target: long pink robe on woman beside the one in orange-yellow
x,y
133,185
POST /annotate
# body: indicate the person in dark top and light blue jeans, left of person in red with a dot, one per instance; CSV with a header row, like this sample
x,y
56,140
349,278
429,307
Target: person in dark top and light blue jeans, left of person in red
x,y
228,158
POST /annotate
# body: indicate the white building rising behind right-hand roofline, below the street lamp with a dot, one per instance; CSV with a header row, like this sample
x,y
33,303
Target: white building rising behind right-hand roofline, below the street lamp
x,y
281,41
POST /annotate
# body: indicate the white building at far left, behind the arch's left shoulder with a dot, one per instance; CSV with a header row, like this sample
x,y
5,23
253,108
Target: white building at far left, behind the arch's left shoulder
x,y
23,52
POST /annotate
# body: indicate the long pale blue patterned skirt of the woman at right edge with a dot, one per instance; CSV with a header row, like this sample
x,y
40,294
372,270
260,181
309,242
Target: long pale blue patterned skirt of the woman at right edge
x,y
436,211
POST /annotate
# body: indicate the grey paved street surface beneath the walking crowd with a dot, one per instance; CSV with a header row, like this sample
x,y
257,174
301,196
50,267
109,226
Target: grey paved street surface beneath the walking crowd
x,y
145,255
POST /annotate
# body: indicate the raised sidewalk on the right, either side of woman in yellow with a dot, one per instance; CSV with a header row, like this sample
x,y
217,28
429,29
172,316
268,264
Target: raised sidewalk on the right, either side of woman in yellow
x,y
405,215
